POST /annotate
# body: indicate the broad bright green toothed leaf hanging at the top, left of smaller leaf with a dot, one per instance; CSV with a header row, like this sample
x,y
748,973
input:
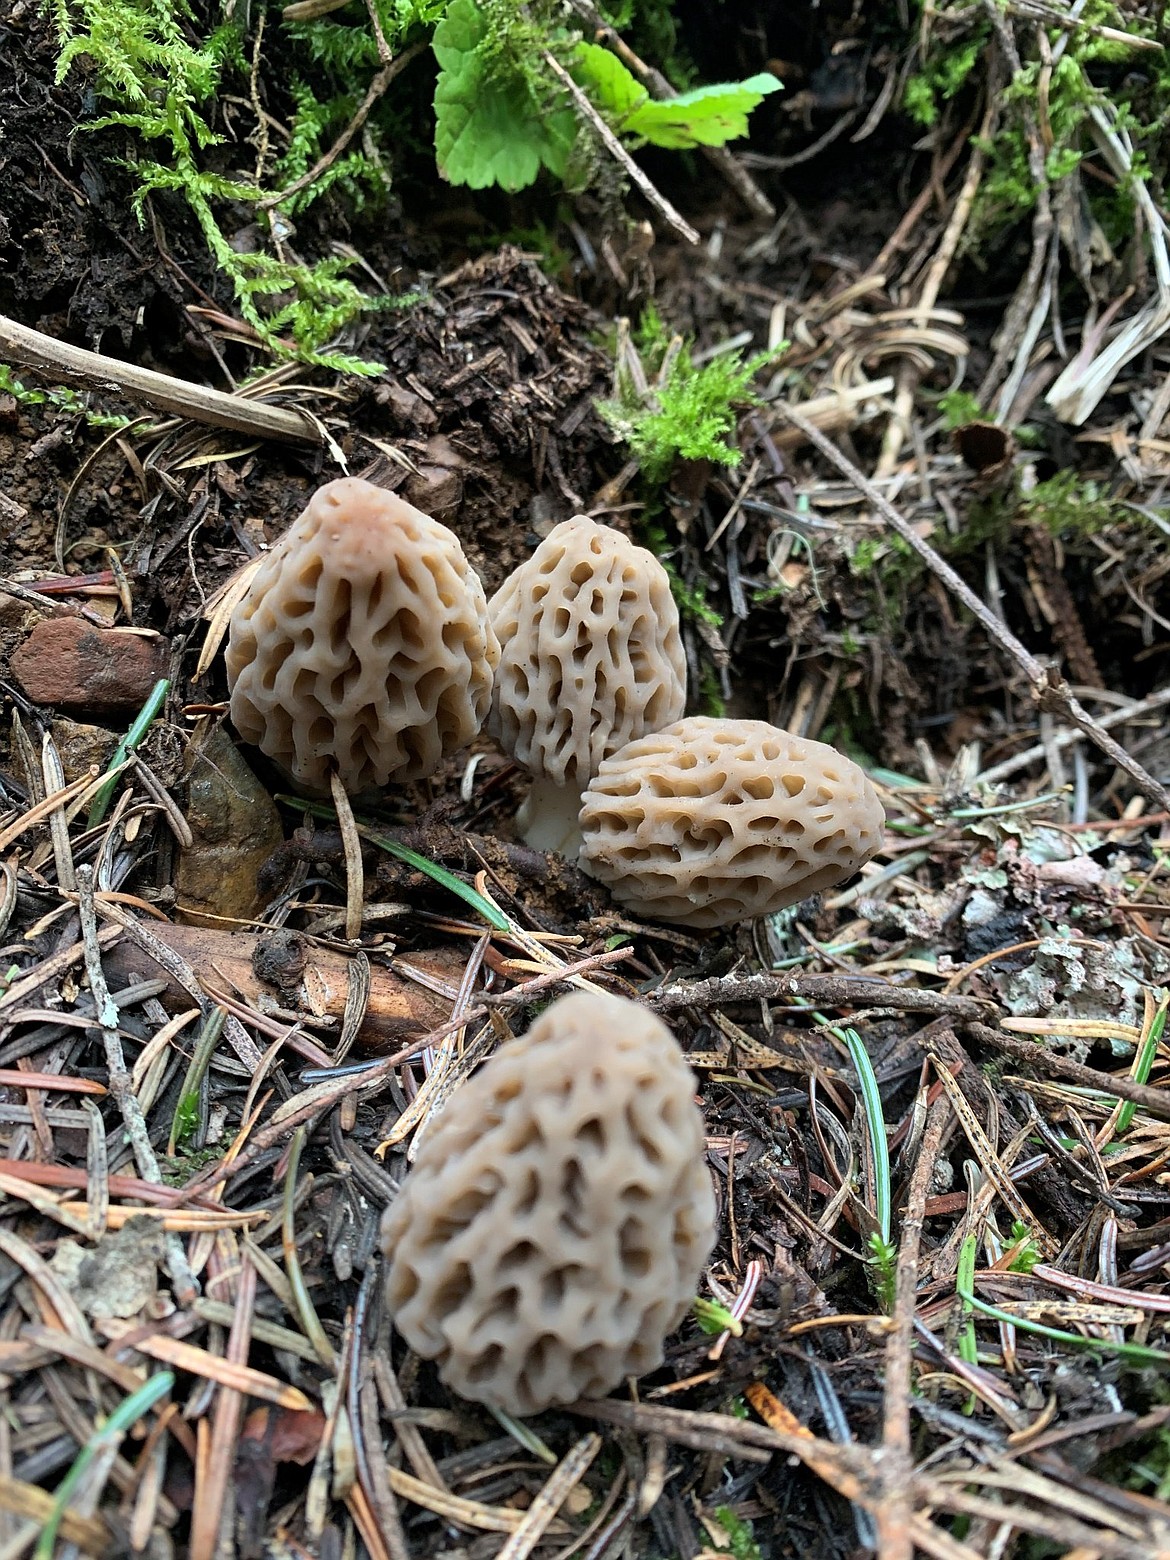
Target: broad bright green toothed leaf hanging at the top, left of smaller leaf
x,y
491,127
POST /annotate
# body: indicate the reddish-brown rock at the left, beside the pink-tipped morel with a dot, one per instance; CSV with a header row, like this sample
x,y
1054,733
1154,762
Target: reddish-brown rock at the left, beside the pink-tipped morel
x,y
94,672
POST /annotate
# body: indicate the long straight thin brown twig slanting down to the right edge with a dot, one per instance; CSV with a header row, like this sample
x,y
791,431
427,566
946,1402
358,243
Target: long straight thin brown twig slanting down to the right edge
x,y
1049,690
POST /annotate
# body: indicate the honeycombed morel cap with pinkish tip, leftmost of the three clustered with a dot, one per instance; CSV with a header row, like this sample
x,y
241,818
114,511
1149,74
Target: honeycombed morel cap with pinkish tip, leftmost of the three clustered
x,y
363,643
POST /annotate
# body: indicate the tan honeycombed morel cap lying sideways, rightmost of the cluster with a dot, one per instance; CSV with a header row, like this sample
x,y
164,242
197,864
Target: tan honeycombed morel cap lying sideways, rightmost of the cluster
x,y
712,821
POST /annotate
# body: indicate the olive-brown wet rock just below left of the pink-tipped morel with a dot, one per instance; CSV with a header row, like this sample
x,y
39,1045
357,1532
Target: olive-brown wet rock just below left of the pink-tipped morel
x,y
236,829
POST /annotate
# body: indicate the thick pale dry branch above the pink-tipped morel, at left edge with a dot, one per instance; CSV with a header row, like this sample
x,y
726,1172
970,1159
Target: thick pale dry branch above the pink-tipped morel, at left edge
x,y
144,386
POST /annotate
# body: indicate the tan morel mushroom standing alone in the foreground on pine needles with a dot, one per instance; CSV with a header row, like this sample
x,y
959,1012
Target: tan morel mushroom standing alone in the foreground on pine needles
x,y
559,1214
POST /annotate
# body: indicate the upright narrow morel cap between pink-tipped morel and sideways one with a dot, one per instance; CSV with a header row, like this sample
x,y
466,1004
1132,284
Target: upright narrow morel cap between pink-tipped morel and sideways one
x,y
590,651
